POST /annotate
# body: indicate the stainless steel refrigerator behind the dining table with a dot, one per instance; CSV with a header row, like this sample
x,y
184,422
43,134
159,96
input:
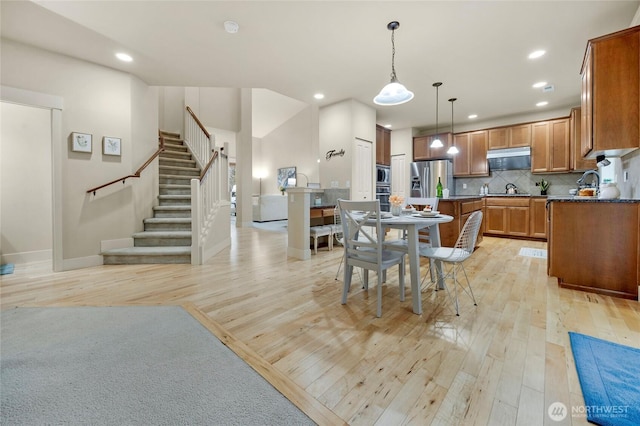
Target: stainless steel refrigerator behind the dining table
x,y
425,174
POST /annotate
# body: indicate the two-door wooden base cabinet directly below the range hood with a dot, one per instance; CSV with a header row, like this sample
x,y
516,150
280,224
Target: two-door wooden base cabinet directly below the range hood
x,y
507,216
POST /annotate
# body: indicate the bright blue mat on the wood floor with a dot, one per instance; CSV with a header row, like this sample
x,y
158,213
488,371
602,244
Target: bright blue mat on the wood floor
x,y
609,376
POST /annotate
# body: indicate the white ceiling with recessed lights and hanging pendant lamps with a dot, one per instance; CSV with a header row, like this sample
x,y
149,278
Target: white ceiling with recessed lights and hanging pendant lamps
x,y
478,49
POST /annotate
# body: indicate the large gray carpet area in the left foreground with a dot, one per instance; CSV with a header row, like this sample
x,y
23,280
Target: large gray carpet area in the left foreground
x,y
128,366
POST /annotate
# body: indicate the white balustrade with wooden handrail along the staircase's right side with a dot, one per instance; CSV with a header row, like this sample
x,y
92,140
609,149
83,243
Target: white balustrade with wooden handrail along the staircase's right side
x,y
208,192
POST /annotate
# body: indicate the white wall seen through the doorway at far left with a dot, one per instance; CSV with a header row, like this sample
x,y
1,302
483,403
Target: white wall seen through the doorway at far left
x,y
26,210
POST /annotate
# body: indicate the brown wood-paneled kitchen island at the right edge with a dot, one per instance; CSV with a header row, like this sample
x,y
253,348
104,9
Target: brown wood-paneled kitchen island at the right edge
x,y
594,245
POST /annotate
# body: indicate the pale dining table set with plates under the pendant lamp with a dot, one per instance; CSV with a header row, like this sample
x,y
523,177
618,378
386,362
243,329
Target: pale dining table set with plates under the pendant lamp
x,y
412,223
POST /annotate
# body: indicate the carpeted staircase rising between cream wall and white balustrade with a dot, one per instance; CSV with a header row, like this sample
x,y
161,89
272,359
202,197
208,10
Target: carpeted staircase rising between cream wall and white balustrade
x,y
167,235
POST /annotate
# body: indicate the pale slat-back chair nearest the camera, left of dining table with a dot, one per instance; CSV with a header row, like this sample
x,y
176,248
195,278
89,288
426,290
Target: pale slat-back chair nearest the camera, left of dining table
x,y
363,246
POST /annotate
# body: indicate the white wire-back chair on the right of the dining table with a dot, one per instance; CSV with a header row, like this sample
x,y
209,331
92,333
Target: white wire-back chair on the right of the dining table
x,y
455,256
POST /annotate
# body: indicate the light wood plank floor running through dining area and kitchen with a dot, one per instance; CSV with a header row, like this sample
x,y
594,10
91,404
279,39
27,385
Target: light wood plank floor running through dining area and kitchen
x,y
500,363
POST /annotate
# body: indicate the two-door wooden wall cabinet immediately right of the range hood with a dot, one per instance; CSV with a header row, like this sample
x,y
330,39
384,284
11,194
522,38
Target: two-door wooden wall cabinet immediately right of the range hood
x,y
550,146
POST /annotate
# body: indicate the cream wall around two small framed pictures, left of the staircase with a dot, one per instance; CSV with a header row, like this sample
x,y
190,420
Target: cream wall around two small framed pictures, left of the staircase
x,y
102,102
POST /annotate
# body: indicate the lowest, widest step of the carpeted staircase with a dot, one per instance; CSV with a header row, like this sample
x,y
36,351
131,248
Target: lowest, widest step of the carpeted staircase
x,y
147,255
